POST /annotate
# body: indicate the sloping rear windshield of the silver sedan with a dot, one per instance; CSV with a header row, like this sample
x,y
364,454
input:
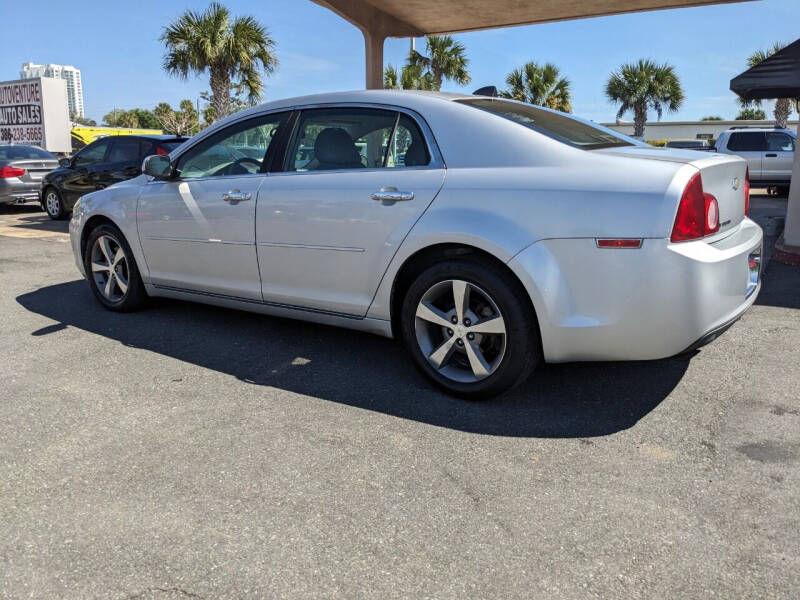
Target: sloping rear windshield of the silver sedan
x,y
559,126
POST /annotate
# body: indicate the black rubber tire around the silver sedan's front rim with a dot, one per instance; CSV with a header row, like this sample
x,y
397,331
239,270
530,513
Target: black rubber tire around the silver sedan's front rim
x,y
134,295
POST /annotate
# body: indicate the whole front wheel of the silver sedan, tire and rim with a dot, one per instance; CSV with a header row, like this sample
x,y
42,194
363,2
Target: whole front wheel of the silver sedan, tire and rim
x,y
112,271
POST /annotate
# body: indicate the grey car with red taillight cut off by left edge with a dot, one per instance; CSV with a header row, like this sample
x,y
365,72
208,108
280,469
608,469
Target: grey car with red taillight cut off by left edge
x,y
21,172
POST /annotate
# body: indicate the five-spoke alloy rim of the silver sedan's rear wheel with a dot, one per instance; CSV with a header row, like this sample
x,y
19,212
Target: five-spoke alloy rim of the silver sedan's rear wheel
x,y
460,330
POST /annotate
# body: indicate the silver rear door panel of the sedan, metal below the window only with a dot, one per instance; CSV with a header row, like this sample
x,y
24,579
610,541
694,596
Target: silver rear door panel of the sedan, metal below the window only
x,y
324,243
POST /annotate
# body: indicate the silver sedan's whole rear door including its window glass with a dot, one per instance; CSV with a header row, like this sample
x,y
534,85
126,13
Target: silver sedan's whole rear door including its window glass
x,y
324,234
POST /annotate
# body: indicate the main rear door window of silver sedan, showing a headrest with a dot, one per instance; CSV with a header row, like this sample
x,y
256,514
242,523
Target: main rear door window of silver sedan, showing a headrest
x,y
328,139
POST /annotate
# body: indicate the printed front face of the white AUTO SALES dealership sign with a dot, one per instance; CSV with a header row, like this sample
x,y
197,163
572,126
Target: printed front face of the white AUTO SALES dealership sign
x,y
21,116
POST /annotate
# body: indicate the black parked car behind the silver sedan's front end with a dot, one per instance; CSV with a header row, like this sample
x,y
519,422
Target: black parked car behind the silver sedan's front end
x,y
98,165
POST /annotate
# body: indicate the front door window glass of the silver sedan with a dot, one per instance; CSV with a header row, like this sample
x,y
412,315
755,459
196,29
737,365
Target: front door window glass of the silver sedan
x,y
239,149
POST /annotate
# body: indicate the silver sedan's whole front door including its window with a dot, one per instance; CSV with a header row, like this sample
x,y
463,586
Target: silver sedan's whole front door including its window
x,y
198,232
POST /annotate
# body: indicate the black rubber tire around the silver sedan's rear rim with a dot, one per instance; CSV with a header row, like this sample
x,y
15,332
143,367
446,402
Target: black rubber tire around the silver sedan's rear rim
x,y
522,342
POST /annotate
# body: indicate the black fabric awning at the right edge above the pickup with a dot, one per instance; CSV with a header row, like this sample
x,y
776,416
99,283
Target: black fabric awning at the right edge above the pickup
x,y
776,77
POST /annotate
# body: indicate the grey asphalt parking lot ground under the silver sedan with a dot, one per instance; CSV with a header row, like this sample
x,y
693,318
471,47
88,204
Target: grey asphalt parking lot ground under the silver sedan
x,y
191,451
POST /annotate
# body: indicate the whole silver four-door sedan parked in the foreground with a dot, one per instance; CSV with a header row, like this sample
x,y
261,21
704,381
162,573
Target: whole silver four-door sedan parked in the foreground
x,y
550,237
